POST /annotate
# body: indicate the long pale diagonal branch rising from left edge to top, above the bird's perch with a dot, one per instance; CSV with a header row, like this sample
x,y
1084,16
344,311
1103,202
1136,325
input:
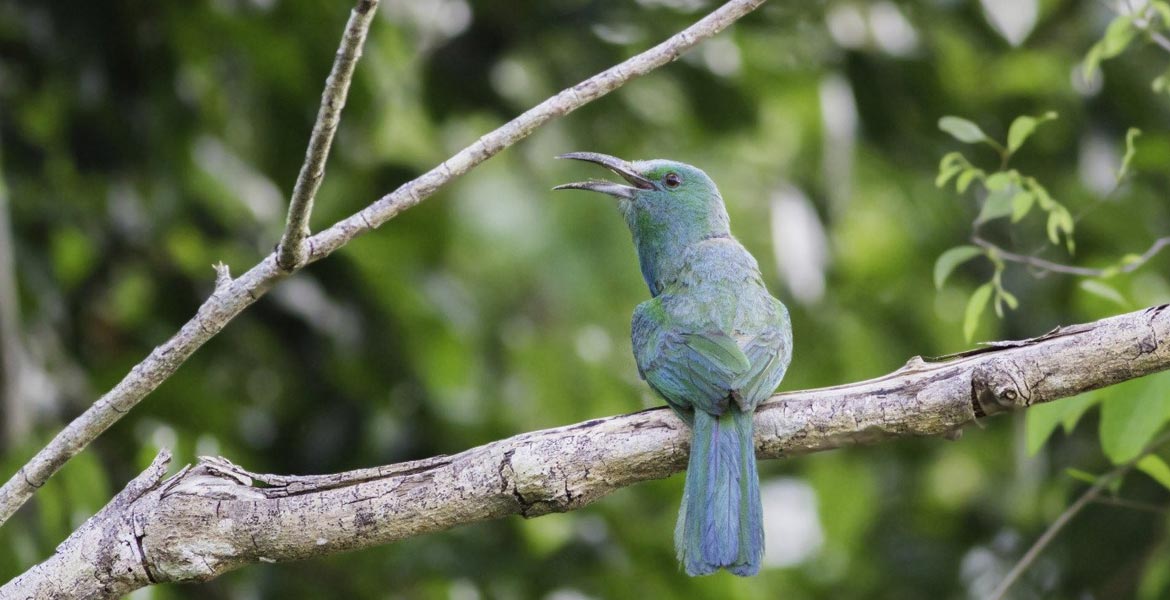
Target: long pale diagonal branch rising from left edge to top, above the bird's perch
x,y
232,296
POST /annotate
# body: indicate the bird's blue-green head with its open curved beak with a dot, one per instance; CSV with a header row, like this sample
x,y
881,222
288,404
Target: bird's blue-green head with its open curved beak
x,y
663,195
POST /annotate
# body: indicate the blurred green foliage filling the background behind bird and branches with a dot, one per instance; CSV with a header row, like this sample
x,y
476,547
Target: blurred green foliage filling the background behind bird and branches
x,y
144,142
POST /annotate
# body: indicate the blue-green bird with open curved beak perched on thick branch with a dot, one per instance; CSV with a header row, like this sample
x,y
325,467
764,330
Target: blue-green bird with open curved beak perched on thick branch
x,y
712,342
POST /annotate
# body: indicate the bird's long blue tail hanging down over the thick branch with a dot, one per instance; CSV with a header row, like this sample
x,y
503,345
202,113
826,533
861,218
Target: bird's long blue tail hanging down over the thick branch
x,y
721,520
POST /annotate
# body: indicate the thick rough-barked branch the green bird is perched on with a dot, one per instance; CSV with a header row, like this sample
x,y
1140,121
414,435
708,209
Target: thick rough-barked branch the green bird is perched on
x,y
215,518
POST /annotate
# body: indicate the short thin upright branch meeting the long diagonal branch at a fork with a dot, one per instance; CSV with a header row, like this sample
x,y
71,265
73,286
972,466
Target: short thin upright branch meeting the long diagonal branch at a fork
x,y
292,252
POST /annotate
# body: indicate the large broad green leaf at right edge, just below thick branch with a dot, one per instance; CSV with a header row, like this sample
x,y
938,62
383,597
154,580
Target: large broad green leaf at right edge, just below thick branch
x,y
1132,416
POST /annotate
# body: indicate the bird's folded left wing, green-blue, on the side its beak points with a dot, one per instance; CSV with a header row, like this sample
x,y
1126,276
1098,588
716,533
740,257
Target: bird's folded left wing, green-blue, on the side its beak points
x,y
692,370
